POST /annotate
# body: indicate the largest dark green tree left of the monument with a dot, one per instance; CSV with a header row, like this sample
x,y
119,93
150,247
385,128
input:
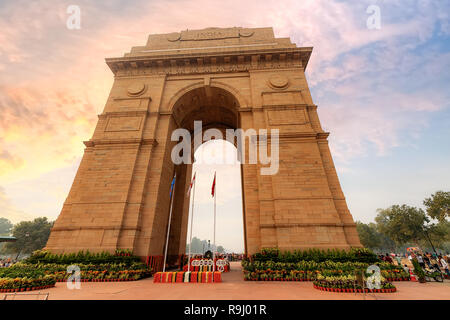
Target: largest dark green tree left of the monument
x,y
38,232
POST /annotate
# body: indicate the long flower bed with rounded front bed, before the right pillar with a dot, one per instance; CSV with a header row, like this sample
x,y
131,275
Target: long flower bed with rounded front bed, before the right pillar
x,y
337,275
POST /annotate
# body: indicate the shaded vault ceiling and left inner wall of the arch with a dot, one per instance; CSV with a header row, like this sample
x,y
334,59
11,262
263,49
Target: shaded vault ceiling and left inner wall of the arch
x,y
216,108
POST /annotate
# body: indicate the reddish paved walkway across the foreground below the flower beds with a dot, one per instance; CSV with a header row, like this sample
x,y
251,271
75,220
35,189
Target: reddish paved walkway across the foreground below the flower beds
x,y
235,288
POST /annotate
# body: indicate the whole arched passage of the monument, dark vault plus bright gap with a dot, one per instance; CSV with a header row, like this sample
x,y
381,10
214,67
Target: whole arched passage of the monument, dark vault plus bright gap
x,y
216,108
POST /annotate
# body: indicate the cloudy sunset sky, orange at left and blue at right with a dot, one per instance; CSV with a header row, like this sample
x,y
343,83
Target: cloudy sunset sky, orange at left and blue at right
x,y
383,94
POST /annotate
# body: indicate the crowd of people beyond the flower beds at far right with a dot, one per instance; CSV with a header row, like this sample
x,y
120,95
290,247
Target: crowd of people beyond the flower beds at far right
x,y
425,260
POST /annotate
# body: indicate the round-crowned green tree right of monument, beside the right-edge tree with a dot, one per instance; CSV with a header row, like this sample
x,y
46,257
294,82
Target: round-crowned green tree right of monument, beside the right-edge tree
x,y
402,224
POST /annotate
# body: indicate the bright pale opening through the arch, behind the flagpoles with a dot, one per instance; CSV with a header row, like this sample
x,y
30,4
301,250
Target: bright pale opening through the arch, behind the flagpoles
x,y
216,157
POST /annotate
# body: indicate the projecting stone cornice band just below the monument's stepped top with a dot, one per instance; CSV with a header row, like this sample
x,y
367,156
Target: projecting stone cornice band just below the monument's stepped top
x,y
196,63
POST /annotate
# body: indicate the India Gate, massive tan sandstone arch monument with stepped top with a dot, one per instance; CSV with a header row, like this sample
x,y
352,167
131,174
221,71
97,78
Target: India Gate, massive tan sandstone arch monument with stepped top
x,y
228,78
